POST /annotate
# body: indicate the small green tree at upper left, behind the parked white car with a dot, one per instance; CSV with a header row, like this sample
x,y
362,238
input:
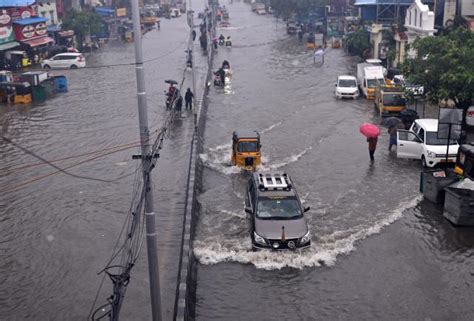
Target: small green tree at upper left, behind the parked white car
x,y
83,23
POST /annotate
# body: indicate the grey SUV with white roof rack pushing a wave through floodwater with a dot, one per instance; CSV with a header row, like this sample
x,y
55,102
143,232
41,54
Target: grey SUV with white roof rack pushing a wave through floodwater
x,y
276,214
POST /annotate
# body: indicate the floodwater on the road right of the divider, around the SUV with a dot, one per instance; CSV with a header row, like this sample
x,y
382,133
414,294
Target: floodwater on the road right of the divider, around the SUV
x,y
379,251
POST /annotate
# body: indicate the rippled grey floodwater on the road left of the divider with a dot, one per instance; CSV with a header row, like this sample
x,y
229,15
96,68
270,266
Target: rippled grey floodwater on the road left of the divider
x,y
57,231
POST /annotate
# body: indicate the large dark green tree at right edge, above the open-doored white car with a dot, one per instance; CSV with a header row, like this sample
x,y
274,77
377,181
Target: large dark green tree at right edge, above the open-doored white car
x,y
444,66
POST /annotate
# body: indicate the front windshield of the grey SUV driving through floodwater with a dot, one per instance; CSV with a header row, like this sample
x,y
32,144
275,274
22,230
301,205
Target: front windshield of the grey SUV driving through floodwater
x,y
278,208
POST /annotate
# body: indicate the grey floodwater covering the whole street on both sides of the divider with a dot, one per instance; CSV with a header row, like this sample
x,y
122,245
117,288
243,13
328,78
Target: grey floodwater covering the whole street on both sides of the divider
x,y
379,251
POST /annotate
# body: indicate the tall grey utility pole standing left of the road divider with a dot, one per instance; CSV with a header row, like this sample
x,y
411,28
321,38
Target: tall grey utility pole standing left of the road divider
x,y
146,157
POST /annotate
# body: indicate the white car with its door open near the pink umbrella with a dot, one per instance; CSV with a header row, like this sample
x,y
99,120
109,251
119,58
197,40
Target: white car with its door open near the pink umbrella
x,y
421,142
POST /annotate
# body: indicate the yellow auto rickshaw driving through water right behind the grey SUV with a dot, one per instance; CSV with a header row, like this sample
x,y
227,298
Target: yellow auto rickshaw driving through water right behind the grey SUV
x,y
246,149
